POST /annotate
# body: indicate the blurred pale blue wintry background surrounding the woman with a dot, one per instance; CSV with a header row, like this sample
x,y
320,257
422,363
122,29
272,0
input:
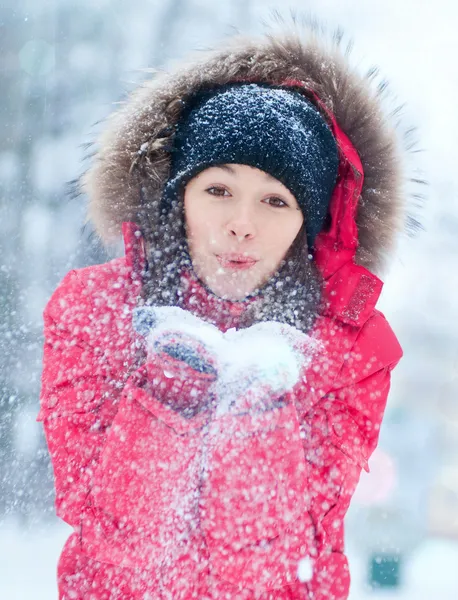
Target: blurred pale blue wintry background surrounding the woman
x,y
63,65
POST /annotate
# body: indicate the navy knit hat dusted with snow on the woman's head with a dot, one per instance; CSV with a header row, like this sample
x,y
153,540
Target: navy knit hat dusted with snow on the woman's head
x,y
273,129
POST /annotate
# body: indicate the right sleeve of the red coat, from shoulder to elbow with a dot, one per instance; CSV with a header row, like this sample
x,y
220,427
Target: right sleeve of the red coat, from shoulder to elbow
x,y
340,432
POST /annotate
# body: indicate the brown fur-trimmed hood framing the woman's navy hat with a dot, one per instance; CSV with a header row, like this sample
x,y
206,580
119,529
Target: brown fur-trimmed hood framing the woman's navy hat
x,y
132,149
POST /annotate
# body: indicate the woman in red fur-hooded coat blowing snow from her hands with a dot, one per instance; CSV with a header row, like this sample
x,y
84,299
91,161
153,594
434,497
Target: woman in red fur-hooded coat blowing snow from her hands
x,y
210,399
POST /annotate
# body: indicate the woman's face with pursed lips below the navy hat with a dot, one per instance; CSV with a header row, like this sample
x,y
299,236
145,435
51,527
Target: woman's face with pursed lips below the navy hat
x,y
240,223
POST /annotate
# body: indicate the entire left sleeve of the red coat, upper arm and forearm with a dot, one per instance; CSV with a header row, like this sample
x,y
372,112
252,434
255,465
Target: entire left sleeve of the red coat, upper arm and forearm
x,y
112,437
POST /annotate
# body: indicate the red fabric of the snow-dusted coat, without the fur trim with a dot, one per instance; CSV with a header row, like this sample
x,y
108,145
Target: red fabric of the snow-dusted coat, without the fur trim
x,y
165,506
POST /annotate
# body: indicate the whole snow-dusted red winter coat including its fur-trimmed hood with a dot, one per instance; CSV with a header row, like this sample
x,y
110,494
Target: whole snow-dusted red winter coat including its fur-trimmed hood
x,y
148,521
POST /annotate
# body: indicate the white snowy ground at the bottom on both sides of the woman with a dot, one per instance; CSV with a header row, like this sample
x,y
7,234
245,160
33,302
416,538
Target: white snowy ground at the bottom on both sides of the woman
x,y
28,561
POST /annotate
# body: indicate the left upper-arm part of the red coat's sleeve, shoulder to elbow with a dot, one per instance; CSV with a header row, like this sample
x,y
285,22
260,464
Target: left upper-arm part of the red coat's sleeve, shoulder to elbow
x,y
79,396
